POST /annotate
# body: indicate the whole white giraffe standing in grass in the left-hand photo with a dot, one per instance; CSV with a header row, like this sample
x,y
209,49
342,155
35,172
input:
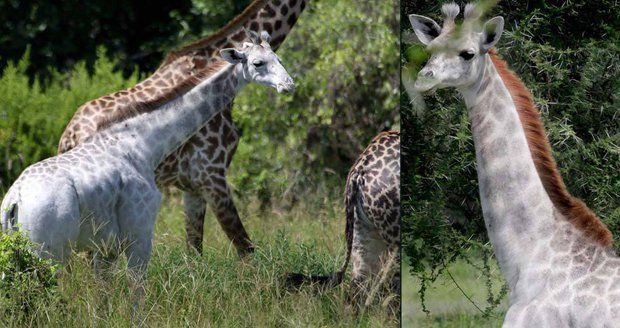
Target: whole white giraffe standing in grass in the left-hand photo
x,y
104,197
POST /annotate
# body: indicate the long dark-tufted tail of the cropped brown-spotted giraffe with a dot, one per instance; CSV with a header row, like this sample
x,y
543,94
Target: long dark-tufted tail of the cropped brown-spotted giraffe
x,y
354,210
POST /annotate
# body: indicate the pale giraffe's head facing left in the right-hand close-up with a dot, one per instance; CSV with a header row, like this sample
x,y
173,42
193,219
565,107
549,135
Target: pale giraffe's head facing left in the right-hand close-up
x,y
457,53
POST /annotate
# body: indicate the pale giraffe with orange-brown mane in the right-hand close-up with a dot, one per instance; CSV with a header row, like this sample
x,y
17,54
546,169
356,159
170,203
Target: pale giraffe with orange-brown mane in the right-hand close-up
x,y
554,252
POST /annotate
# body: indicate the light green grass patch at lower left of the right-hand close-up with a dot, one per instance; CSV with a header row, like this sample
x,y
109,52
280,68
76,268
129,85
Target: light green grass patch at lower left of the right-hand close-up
x,y
447,305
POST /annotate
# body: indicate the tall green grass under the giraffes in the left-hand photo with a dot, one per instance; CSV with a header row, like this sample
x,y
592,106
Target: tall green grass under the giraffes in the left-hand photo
x,y
218,289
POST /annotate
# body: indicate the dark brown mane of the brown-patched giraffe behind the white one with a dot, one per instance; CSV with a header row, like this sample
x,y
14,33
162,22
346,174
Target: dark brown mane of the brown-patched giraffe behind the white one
x,y
237,22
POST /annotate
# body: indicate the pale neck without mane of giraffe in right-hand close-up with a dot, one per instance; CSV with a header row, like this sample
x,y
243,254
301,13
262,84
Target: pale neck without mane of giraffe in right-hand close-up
x,y
518,213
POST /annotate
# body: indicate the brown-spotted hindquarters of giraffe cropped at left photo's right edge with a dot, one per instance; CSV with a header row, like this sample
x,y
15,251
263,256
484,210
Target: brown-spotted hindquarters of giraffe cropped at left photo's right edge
x,y
372,200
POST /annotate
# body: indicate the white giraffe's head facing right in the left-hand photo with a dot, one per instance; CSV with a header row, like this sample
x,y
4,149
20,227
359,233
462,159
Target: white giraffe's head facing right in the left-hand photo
x,y
259,63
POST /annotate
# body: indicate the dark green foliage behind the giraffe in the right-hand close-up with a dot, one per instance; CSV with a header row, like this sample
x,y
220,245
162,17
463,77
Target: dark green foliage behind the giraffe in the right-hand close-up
x,y
567,54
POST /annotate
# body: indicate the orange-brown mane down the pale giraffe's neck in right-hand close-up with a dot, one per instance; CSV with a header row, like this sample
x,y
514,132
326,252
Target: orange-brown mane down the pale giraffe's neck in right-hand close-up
x,y
572,208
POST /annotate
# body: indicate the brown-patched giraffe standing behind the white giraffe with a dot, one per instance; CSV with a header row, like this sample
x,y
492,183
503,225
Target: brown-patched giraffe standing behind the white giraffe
x,y
199,166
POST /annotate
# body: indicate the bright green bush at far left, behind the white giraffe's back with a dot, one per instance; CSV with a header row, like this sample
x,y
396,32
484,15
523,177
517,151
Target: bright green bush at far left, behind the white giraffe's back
x,y
33,117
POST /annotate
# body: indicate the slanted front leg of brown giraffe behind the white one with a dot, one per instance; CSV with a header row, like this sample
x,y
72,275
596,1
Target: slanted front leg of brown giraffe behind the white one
x,y
223,206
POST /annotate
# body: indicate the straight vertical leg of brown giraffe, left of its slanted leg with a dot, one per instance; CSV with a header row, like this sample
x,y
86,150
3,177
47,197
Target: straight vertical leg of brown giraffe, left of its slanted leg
x,y
195,208
